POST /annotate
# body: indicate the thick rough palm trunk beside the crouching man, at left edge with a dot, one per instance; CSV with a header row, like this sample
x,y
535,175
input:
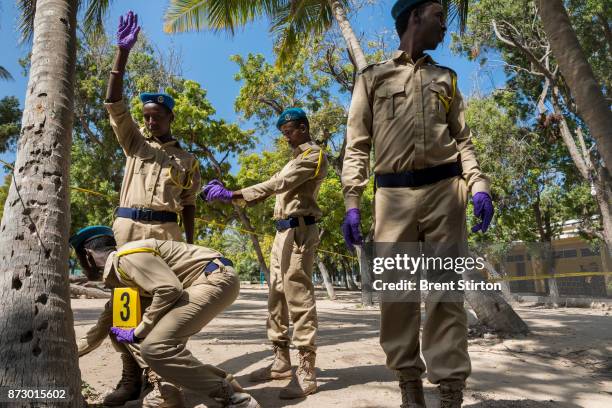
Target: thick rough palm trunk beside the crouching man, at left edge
x,y
37,325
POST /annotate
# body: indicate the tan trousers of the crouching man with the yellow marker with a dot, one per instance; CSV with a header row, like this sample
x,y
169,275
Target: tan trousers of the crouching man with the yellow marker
x,y
164,348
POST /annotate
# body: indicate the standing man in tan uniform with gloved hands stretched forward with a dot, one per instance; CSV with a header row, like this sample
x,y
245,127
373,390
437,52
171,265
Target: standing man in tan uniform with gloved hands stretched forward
x,y
291,291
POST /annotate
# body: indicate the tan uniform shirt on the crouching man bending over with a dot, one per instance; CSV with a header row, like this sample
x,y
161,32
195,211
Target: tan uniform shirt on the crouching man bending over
x,y
162,273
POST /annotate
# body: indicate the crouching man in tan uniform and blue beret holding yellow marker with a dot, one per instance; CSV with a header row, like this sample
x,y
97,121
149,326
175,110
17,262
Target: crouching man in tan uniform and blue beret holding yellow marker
x,y
188,285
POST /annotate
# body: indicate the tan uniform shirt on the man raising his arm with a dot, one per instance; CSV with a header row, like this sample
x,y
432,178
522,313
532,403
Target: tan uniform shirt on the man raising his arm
x,y
162,177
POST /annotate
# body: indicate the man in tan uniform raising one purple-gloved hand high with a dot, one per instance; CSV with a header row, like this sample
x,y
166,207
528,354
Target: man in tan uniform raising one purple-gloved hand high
x,y
160,181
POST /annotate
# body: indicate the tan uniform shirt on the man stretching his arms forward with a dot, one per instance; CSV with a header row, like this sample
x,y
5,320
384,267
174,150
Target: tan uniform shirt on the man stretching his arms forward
x,y
296,186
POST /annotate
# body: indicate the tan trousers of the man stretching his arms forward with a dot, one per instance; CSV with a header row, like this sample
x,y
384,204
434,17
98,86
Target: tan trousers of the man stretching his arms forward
x,y
291,290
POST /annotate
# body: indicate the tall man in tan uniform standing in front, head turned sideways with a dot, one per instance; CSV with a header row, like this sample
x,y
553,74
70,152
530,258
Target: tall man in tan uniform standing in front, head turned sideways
x,y
410,112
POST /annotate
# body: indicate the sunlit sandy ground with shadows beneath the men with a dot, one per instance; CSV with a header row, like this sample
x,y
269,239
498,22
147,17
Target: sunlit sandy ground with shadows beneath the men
x,y
565,362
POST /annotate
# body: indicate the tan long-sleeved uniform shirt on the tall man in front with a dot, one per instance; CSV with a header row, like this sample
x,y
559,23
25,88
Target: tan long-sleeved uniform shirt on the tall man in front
x,y
412,114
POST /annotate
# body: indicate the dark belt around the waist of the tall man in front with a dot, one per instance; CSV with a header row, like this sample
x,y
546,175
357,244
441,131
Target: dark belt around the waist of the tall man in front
x,y
419,178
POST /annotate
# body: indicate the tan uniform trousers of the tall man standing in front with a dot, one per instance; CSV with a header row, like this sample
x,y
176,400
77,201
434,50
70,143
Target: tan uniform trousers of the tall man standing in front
x,y
432,213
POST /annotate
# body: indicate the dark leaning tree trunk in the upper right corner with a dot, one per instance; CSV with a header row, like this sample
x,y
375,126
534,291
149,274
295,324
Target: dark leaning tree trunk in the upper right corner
x,y
578,74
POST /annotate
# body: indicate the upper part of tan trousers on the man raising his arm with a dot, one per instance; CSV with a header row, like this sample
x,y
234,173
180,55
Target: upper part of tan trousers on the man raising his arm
x,y
127,230
